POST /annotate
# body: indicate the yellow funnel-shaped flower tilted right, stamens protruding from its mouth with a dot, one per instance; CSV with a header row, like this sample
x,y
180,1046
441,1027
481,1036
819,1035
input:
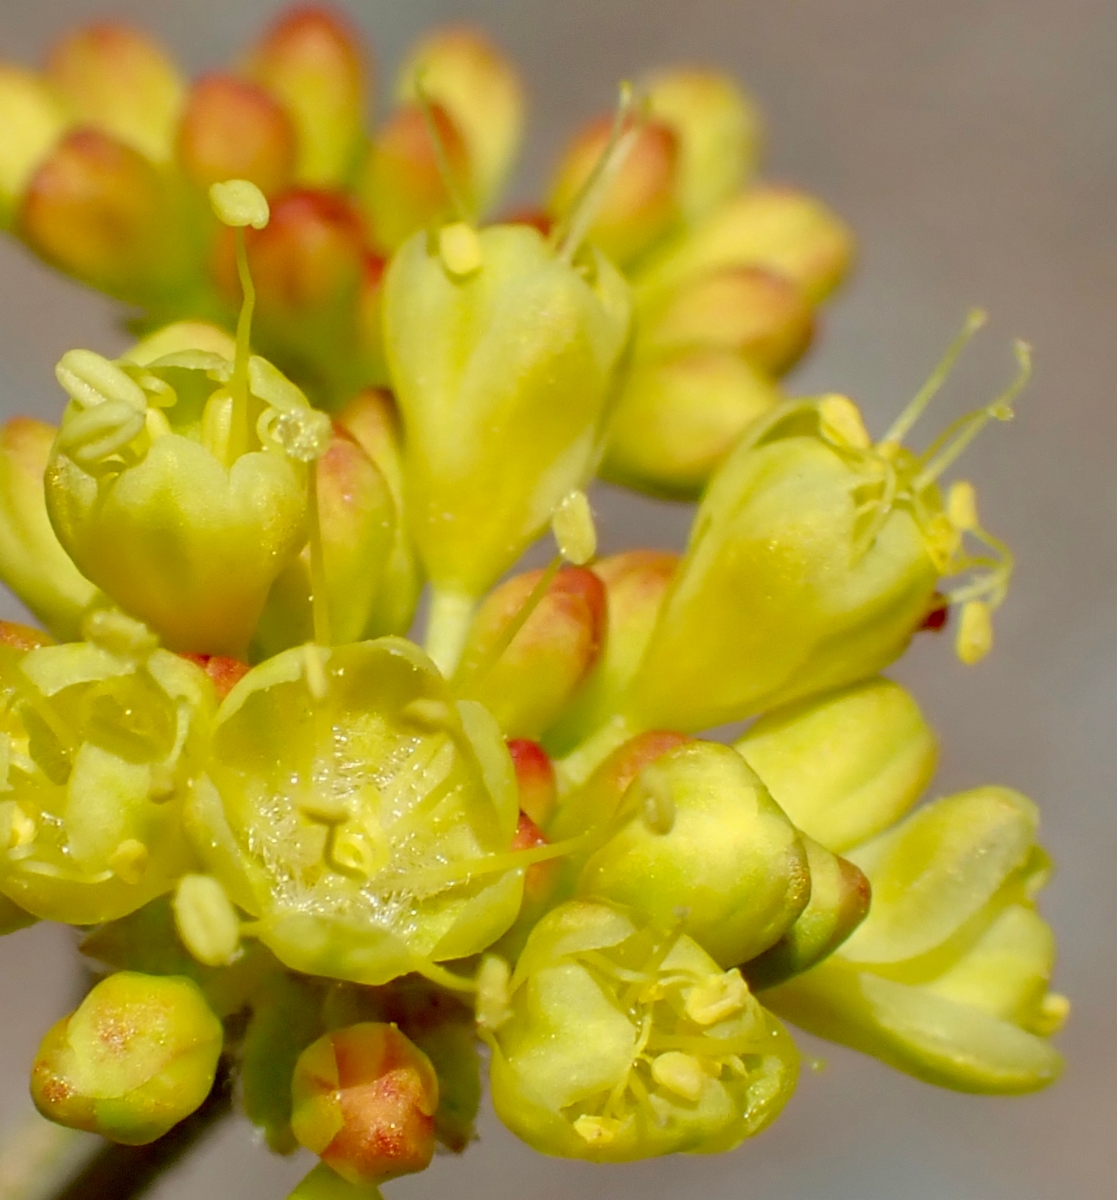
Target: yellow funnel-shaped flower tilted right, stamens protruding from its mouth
x,y
814,559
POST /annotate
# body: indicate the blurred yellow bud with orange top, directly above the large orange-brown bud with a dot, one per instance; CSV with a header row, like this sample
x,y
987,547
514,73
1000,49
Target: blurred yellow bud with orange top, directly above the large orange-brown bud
x,y
119,81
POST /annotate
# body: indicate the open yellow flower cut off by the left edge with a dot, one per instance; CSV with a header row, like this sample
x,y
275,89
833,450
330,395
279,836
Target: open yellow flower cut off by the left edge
x,y
101,740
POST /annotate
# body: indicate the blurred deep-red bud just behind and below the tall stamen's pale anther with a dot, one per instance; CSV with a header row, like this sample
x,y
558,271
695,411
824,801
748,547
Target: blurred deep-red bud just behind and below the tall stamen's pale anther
x,y
309,267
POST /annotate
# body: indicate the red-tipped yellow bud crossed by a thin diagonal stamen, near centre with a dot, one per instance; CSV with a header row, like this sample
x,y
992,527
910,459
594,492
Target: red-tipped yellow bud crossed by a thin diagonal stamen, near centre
x,y
527,683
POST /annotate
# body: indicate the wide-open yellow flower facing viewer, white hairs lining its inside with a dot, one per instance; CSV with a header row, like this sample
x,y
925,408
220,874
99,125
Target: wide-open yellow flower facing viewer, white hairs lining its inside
x,y
361,813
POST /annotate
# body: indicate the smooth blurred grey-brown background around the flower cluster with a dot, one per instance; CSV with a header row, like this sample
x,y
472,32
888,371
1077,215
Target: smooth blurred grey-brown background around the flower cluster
x,y
974,147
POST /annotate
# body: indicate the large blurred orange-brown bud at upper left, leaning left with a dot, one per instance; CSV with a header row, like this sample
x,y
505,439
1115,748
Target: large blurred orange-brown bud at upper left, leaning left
x,y
101,212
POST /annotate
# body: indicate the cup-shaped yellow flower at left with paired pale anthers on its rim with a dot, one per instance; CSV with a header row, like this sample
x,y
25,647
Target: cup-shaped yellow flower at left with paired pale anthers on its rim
x,y
182,500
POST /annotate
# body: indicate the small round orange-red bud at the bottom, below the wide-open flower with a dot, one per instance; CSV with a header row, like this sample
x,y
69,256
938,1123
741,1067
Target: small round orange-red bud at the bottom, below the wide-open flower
x,y
365,1101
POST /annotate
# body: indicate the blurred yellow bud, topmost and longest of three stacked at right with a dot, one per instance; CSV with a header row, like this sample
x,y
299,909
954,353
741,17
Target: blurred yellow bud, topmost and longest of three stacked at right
x,y
776,229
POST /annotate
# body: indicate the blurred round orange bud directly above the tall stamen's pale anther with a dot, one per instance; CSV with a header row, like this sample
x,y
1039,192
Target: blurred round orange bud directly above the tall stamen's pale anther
x,y
235,130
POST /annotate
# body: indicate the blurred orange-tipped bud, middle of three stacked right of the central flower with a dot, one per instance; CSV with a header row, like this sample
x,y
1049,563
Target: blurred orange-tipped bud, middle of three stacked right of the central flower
x,y
747,310
